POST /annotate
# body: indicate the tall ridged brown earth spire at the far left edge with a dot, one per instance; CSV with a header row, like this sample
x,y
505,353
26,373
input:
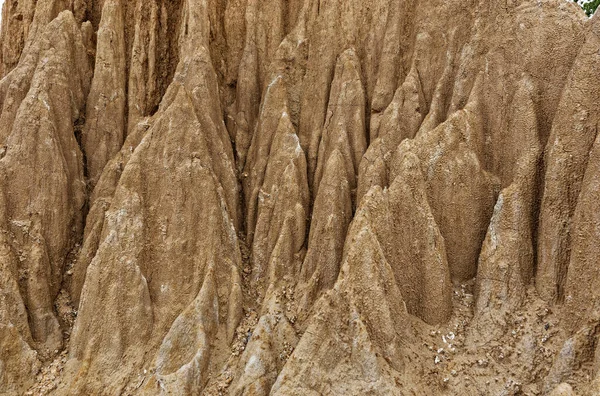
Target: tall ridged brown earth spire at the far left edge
x,y
43,212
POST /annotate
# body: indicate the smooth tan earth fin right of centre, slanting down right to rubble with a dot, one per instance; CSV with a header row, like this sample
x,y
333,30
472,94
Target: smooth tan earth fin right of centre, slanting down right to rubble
x,y
414,245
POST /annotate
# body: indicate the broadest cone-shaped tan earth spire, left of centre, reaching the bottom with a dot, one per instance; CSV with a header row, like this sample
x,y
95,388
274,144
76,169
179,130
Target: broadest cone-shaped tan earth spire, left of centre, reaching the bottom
x,y
153,295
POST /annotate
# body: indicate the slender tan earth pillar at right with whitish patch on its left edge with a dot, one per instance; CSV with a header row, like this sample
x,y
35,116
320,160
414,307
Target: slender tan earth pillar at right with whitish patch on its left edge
x,y
506,263
